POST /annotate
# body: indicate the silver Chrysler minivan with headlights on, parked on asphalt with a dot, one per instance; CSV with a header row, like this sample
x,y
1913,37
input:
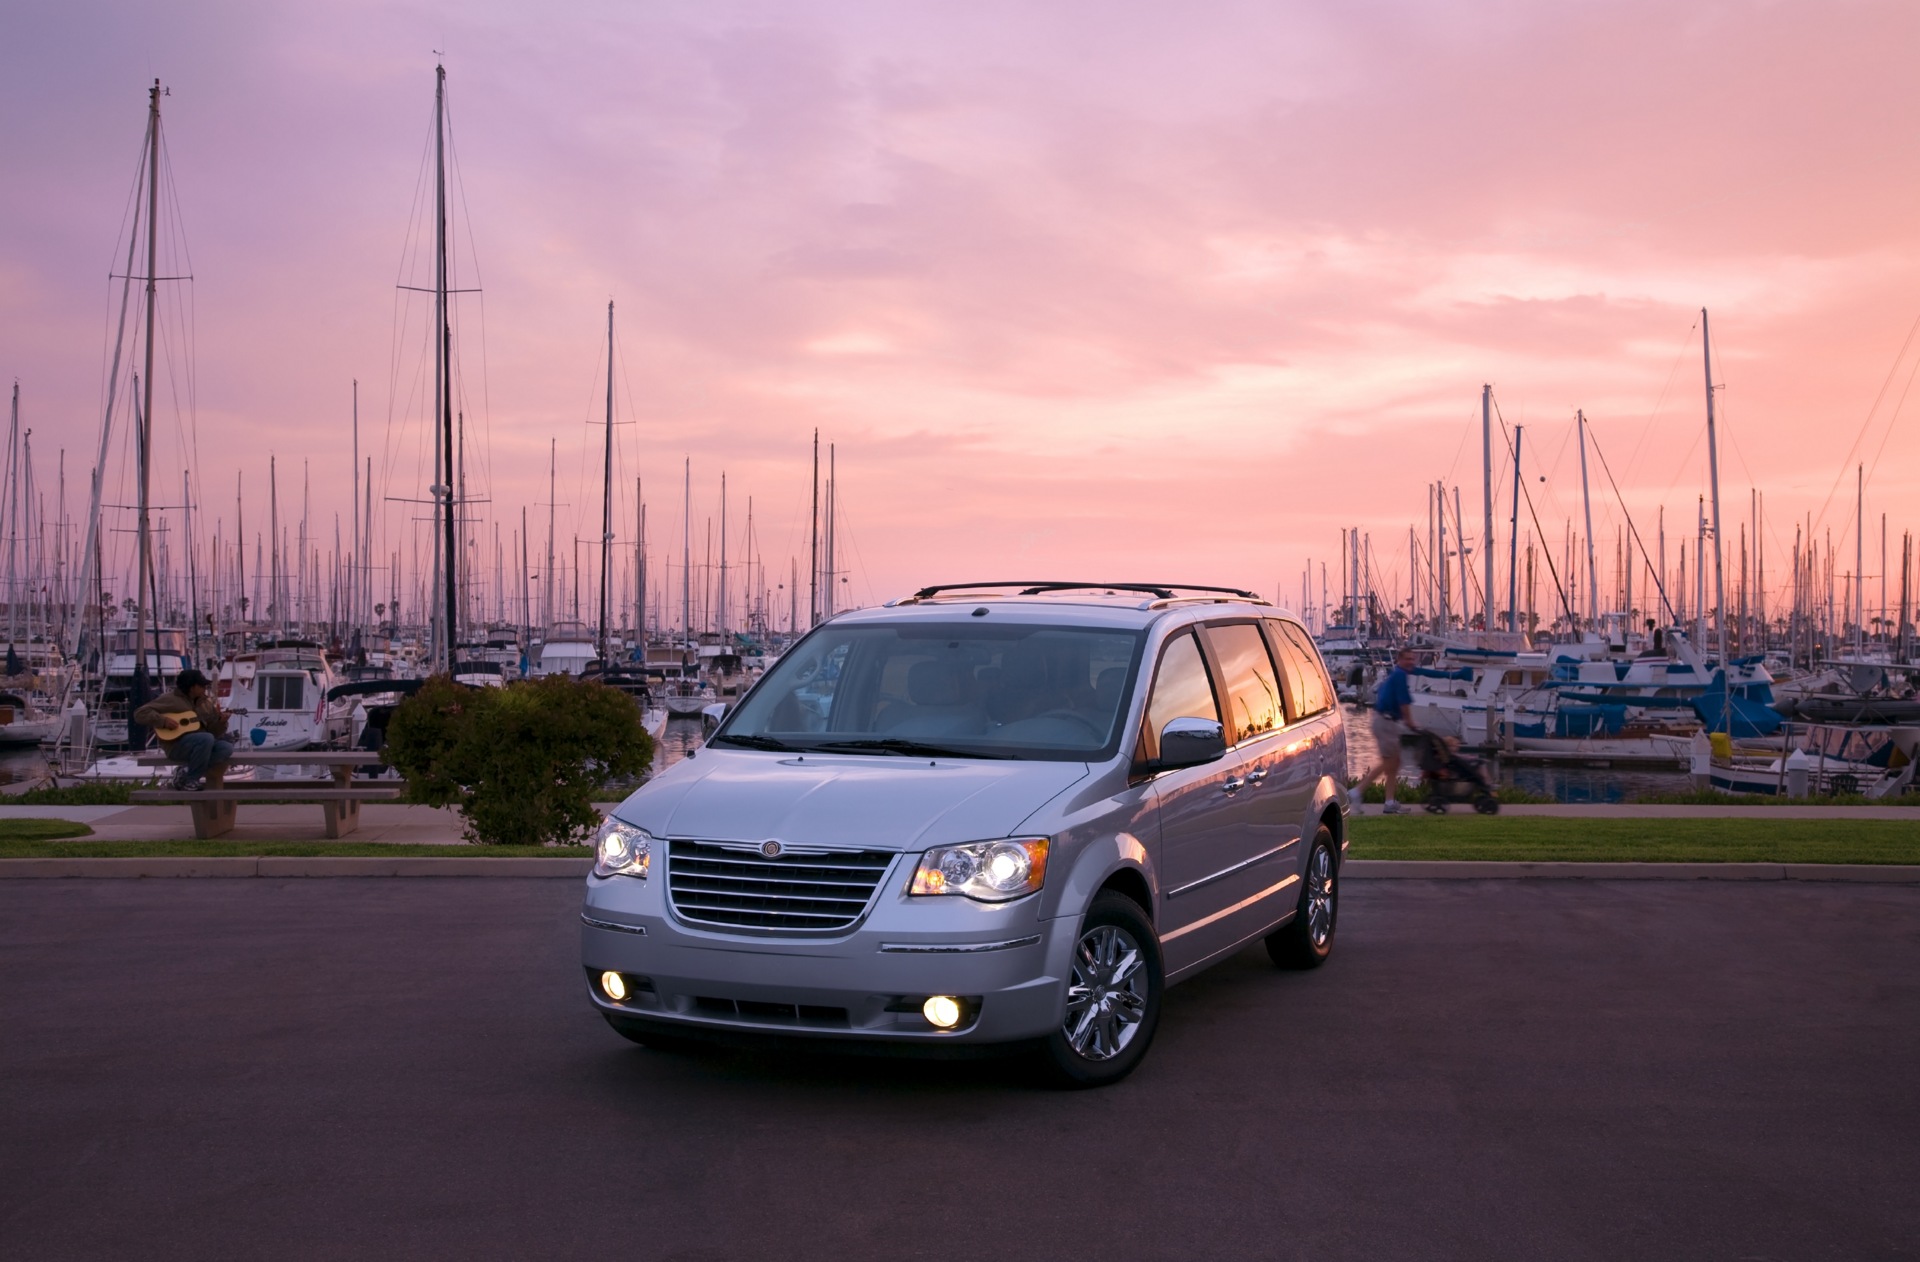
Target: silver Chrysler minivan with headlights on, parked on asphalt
x,y
986,813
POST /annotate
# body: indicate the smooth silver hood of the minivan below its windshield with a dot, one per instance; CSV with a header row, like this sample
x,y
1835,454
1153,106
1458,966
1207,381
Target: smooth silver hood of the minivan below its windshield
x,y
886,804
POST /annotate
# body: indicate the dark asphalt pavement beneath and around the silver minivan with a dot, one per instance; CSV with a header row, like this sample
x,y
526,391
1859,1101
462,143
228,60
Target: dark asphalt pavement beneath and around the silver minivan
x,y
408,1069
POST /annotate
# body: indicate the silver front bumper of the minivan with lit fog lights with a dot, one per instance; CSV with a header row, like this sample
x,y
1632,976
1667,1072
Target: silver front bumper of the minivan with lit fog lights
x,y
867,984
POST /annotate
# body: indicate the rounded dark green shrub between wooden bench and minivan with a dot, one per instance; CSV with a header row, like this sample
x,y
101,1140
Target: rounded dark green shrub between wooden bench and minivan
x,y
523,764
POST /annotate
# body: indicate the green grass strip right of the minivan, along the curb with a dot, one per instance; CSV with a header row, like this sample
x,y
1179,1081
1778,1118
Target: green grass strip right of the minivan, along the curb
x,y
1550,838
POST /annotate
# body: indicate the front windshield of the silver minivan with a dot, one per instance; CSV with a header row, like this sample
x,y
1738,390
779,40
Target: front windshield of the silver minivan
x,y
969,691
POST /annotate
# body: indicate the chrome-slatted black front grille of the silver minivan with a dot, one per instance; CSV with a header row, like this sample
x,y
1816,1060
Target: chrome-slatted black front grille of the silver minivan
x,y
740,890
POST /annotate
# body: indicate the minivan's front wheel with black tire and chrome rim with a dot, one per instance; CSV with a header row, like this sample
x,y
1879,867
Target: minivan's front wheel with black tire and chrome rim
x,y
1097,1044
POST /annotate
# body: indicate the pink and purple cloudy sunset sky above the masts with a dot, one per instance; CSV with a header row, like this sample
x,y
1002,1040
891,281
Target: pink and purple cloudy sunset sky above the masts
x,y
1109,291
